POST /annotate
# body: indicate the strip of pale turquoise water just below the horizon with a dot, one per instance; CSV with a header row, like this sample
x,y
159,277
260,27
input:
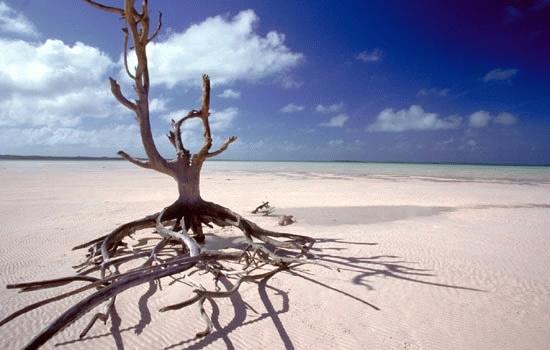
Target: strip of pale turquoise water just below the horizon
x,y
429,171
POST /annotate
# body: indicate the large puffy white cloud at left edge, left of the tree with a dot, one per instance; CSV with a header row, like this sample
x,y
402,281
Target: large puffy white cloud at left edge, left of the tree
x,y
52,83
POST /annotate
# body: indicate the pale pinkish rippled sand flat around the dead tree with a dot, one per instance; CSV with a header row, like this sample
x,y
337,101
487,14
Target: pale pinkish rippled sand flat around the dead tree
x,y
424,263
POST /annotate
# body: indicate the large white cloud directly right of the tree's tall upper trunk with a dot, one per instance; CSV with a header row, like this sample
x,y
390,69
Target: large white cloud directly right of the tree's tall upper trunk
x,y
228,49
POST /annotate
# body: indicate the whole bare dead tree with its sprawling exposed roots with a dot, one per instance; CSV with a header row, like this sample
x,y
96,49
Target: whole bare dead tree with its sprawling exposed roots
x,y
180,223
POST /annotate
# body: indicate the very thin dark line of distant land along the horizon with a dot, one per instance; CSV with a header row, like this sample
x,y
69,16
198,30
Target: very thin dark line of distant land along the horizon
x,y
87,158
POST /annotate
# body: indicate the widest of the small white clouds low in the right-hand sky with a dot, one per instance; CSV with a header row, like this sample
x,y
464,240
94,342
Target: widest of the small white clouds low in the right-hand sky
x,y
413,118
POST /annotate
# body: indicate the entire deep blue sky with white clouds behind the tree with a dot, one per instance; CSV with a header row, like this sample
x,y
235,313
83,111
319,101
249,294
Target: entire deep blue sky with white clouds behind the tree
x,y
401,81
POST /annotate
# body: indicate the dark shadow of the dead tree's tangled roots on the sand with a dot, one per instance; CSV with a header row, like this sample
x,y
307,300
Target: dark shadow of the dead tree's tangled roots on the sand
x,y
364,268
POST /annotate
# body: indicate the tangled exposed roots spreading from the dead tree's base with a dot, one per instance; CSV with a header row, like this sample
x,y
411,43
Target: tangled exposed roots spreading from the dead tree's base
x,y
268,251
